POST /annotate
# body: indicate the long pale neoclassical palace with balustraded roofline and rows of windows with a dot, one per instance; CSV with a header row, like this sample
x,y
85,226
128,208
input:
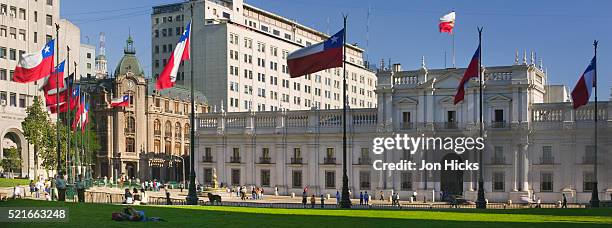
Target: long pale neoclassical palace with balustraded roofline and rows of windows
x,y
535,143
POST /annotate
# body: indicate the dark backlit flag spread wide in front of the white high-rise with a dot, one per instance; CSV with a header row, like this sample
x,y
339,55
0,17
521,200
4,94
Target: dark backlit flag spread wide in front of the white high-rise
x,y
325,55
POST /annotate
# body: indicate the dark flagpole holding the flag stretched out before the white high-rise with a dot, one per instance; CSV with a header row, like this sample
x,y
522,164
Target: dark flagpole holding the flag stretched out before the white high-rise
x,y
345,202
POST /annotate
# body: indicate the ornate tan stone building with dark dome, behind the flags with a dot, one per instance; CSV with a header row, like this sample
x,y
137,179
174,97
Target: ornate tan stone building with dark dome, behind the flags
x,y
148,139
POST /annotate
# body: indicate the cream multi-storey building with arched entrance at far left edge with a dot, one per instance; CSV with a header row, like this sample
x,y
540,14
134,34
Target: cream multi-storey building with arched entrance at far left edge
x,y
25,27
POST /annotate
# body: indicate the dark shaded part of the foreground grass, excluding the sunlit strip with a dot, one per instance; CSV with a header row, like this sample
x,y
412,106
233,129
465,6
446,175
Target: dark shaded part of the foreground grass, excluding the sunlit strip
x,y
98,216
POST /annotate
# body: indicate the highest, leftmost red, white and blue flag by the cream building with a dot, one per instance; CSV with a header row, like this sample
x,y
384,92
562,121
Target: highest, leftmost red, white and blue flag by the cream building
x,y
34,66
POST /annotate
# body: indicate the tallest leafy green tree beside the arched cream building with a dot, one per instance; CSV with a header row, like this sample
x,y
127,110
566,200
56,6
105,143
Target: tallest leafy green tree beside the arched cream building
x,y
34,128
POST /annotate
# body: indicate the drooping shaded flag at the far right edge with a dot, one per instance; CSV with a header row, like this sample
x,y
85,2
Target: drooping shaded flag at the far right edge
x,y
582,90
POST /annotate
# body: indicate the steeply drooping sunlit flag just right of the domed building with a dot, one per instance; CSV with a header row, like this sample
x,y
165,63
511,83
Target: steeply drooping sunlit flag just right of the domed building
x,y
167,78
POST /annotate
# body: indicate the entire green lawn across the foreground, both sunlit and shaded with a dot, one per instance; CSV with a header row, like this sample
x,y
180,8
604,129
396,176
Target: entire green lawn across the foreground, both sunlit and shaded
x,y
87,215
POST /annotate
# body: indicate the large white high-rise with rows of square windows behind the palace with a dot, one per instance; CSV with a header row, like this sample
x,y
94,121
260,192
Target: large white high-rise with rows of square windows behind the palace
x,y
240,58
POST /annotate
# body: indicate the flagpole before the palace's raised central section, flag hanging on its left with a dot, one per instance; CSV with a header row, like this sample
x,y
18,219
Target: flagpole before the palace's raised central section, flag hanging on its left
x,y
480,201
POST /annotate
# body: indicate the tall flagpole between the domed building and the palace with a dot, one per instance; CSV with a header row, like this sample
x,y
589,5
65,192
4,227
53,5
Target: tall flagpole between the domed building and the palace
x,y
192,197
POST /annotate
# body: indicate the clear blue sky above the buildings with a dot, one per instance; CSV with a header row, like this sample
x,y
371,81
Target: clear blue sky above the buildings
x,y
561,32
